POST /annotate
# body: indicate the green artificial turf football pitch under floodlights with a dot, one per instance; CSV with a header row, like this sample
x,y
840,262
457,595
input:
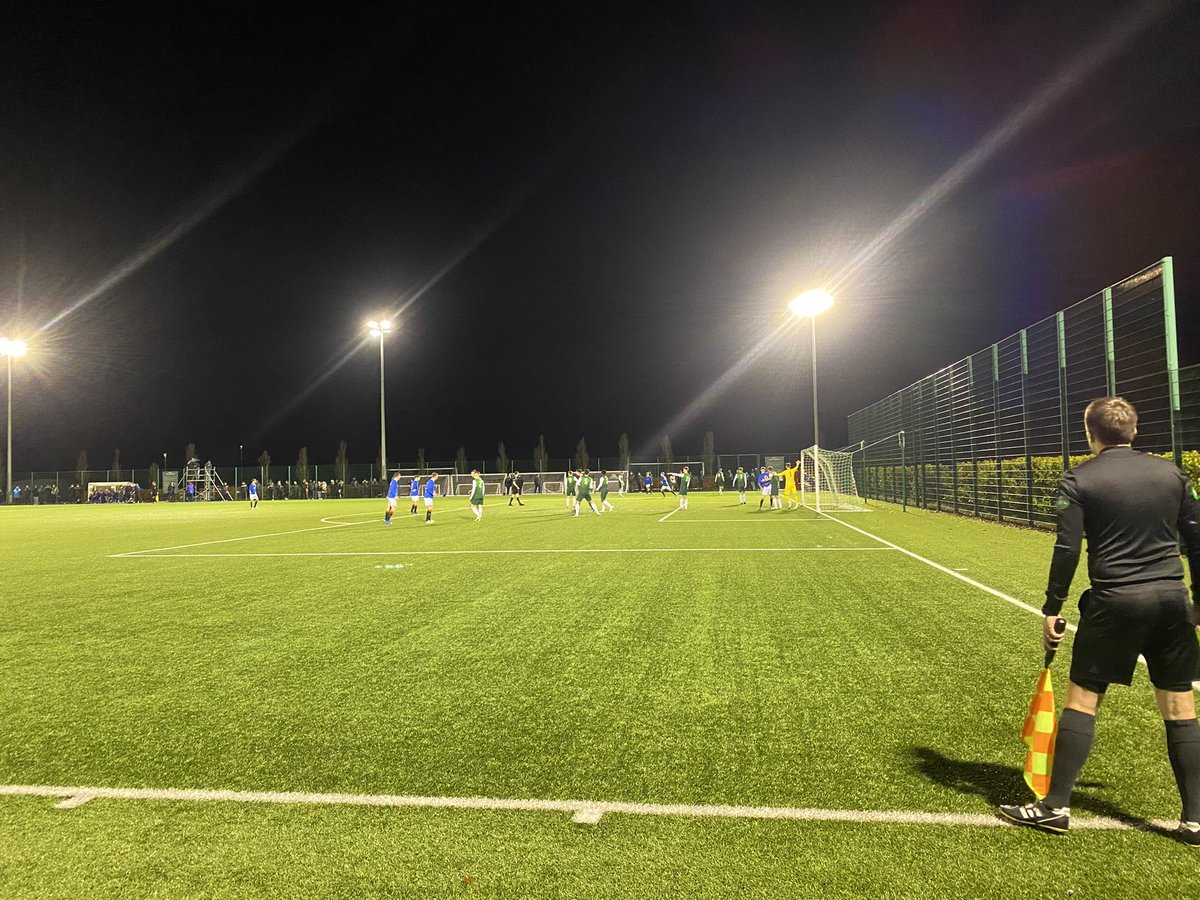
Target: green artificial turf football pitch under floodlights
x,y
719,657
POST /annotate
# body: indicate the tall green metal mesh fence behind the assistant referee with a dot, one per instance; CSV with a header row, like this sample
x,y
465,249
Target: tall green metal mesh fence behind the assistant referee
x,y
992,435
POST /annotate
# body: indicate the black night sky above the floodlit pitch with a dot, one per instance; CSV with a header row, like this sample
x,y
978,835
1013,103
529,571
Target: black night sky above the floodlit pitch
x,y
583,215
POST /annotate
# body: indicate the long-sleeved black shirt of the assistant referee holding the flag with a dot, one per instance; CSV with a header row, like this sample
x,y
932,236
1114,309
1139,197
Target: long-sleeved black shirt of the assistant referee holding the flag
x,y
1133,508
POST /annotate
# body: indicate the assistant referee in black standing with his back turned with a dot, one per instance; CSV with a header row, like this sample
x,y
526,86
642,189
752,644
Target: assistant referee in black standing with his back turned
x,y
1133,509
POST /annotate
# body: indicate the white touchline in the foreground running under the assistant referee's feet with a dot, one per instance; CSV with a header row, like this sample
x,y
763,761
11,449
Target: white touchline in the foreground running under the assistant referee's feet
x,y
584,812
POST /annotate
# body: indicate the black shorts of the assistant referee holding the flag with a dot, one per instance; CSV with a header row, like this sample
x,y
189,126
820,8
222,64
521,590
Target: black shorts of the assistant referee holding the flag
x,y
1155,620
